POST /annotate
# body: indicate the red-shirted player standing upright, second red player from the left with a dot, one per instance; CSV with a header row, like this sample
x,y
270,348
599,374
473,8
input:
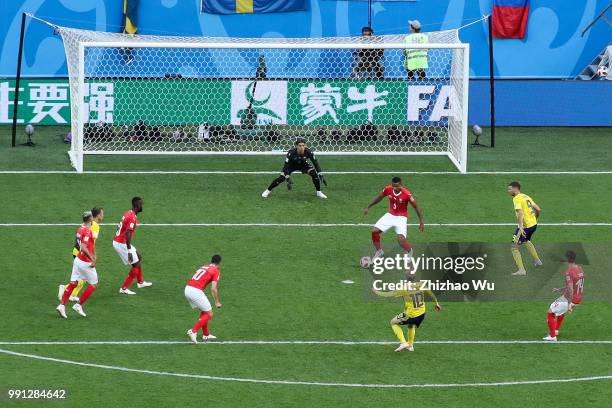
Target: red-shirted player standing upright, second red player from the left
x,y
127,252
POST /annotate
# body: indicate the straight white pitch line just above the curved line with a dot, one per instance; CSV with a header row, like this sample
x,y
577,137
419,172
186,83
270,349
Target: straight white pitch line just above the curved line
x,y
289,342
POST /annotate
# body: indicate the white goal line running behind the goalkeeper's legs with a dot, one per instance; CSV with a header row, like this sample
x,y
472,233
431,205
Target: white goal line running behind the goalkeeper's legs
x,y
348,172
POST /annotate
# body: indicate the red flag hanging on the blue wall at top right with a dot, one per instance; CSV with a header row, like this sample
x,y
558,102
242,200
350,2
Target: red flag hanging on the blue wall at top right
x,y
510,18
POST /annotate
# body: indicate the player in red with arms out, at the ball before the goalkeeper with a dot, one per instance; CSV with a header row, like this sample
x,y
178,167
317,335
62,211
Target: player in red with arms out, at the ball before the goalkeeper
x,y
396,217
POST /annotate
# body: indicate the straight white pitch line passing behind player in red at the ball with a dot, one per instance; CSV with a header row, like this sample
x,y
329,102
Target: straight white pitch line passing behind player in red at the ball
x,y
318,225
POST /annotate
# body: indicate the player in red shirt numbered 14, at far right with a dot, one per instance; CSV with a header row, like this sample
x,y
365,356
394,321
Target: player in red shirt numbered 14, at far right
x,y
574,286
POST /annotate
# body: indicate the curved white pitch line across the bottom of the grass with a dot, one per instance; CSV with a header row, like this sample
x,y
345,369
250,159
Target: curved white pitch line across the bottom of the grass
x,y
308,383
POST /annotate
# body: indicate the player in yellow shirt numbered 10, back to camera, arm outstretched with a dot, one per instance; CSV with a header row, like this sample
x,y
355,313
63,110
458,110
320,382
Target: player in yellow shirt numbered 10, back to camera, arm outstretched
x,y
414,312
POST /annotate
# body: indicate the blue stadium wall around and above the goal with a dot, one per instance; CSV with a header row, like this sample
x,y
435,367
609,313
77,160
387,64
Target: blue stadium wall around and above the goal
x,y
553,48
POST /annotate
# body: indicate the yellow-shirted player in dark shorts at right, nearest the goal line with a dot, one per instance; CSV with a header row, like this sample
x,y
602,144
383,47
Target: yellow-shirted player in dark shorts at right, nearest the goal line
x,y
527,214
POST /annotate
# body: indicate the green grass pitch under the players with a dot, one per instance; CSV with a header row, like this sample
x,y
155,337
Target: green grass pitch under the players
x,y
285,283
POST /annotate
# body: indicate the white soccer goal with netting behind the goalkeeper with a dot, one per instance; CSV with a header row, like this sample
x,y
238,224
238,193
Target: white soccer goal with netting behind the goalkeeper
x,y
196,95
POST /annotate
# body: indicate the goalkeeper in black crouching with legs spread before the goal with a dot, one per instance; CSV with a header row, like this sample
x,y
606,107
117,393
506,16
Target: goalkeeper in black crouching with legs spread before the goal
x,y
297,160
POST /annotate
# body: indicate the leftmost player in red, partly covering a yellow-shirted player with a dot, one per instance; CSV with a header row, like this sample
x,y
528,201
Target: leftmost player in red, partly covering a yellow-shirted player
x,y
83,268
